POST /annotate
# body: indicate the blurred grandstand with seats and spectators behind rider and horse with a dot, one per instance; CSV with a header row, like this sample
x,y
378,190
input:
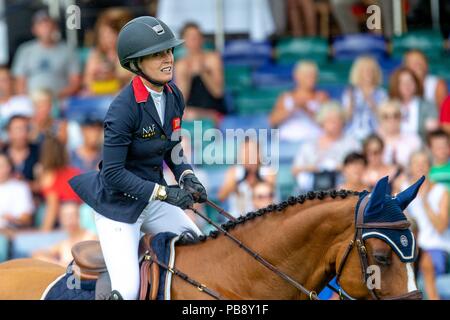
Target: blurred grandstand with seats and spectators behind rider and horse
x,y
356,89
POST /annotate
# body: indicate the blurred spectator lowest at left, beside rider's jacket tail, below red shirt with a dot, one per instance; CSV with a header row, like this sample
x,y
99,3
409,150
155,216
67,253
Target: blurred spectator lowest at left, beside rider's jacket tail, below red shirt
x,y
70,222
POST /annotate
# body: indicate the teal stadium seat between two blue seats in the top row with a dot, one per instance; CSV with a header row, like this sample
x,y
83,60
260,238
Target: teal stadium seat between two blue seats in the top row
x,y
291,50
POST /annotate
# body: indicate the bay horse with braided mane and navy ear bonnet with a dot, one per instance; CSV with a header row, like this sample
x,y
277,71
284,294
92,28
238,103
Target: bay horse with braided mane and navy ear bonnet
x,y
306,237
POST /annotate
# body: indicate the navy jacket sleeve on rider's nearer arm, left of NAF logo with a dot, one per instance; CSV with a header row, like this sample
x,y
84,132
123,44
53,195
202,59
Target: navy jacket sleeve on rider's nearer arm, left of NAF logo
x,y
119,125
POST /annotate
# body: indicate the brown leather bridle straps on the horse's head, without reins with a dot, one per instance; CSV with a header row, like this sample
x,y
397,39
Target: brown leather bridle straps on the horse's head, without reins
x,y
359,243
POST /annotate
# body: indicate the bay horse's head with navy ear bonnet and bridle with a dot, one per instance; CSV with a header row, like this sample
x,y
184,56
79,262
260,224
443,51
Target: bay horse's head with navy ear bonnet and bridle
x,y
379,262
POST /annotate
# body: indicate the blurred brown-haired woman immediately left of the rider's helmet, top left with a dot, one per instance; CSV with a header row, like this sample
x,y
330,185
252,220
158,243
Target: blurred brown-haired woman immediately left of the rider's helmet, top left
x,y
103,74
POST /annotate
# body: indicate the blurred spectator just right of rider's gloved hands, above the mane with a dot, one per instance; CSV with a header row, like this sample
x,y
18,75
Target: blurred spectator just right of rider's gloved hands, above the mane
x,y
242,178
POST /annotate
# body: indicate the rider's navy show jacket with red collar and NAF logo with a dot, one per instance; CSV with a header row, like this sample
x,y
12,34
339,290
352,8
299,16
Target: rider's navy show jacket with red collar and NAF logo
x,y
135,146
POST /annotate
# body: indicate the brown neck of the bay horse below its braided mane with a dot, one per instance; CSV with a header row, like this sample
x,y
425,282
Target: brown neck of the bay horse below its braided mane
x,y
303,241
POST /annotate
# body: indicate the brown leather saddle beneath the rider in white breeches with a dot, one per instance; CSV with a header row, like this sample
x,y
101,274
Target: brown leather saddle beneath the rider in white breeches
x,y
89,264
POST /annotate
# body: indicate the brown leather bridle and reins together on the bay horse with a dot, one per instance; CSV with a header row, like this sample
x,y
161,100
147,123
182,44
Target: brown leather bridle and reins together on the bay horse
x,y
312,295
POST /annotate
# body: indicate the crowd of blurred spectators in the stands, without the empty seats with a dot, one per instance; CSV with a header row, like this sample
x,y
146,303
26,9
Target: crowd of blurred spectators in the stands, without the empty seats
x,y
398,128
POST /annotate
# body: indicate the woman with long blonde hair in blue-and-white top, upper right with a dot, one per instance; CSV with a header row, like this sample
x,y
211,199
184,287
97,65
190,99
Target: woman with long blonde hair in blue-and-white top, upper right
x,y
364,94
